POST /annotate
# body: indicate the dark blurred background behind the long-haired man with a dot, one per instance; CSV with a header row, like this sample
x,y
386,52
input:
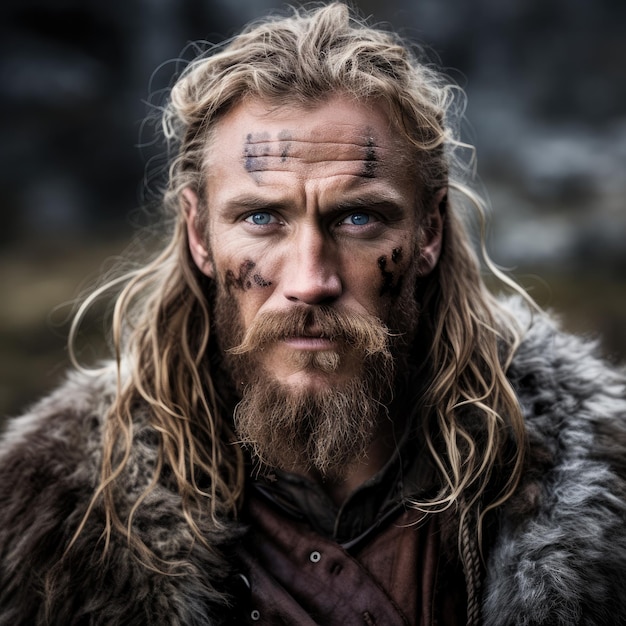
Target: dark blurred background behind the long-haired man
x,y
546,83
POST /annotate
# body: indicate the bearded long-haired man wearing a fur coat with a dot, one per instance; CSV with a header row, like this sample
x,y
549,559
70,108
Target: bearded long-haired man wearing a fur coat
x,y
317,414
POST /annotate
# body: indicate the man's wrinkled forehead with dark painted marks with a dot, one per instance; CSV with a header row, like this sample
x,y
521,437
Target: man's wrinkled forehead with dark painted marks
x,y
340,137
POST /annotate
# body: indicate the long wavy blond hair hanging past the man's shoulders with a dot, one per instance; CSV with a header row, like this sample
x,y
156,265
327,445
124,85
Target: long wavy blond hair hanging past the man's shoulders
x,y
162,318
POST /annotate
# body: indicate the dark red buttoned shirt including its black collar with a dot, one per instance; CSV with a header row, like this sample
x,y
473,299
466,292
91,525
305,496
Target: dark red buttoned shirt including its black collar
x,y
374,560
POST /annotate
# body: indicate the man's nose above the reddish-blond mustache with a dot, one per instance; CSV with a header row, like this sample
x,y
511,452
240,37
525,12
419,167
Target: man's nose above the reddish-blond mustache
x,y
311,270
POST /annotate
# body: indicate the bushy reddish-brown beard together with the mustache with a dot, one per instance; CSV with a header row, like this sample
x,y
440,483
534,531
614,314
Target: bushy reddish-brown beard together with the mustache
x,y
301,428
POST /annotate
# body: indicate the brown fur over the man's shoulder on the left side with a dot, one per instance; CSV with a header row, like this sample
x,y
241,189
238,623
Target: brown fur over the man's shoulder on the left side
x,y
50,467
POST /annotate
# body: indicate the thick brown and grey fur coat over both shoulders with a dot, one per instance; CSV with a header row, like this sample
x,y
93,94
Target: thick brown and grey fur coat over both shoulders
x,y
558,556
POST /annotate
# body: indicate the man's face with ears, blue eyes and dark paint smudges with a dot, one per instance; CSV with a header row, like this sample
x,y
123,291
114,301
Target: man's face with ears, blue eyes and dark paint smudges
x,y
309,210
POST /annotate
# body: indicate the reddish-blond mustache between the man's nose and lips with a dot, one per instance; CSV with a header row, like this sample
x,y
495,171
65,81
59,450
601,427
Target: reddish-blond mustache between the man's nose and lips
x,y
354,330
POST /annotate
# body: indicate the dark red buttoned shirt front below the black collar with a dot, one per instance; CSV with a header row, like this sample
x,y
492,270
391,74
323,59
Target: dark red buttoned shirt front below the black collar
x,y
398,576
